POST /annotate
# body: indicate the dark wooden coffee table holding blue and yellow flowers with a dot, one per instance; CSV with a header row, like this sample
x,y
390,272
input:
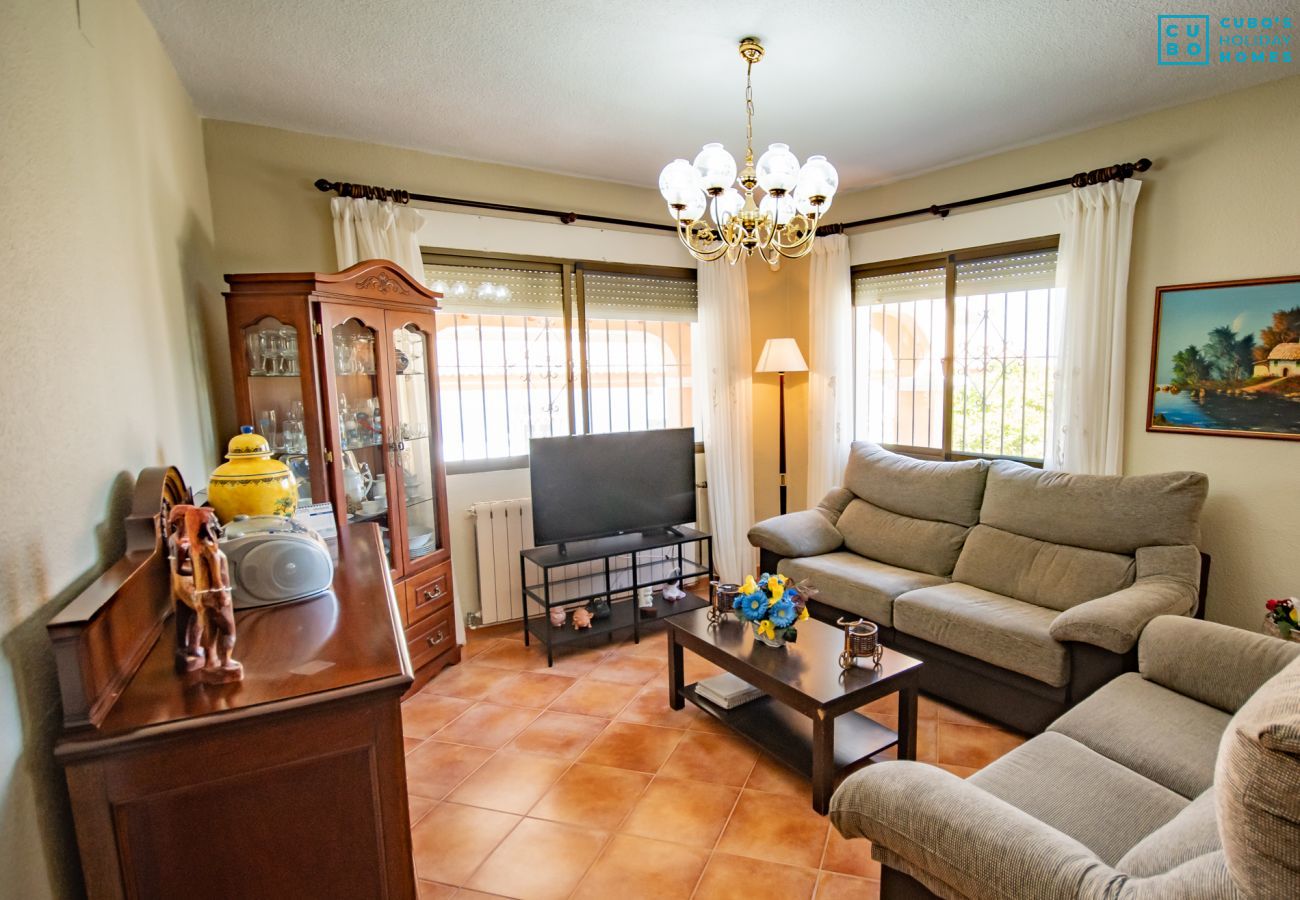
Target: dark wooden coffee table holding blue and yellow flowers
x,y
809,719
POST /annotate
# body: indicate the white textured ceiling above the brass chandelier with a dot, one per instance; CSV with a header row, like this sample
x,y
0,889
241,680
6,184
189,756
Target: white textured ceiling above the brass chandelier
x,y
616,89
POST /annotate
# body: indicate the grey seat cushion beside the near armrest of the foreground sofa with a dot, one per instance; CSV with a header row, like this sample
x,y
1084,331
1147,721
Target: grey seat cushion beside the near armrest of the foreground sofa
x,y
1082,794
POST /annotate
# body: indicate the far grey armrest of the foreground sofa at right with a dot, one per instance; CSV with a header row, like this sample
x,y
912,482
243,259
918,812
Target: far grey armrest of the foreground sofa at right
x,y
1211,663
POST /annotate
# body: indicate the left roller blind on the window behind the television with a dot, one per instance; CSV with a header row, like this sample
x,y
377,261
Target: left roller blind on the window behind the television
x,y
499,291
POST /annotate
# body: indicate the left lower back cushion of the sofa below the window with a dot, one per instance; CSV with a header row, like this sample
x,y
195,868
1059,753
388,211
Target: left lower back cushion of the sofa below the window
x,y
921,544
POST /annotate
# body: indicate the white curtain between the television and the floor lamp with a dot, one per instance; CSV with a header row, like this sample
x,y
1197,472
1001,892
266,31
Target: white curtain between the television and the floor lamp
x,y
726,414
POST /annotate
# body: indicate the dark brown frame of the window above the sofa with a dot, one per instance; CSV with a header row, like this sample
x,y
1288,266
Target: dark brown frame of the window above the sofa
x,y
948,262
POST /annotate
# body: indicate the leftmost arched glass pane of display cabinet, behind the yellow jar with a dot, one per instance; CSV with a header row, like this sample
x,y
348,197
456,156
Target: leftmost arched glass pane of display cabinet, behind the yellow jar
x,y
275,370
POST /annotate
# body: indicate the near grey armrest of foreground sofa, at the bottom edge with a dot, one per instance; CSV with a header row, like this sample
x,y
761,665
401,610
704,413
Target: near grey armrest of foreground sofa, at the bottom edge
x,y
964,837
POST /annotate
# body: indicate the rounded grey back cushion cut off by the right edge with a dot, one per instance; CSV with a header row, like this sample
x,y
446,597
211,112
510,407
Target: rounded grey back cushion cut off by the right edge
x,y
1258,786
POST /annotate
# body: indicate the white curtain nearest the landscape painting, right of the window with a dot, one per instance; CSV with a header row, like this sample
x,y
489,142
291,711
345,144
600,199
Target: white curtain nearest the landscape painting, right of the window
x,y
1089,403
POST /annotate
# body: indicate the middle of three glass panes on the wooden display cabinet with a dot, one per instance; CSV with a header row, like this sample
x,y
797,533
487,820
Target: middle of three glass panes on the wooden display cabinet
x,y
358,425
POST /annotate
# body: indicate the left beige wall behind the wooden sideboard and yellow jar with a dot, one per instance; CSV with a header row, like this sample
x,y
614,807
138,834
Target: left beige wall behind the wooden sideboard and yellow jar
x,y
107,262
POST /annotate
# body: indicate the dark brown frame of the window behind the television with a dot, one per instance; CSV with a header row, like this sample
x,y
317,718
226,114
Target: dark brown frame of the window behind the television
x,y
573,285
